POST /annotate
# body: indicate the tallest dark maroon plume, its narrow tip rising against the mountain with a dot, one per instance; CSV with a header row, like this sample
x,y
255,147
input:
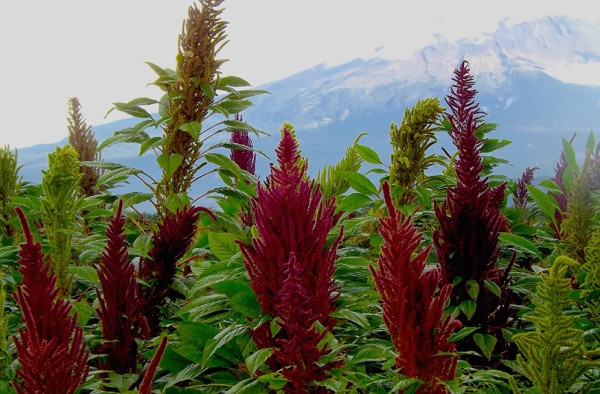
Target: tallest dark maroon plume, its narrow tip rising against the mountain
x,y
470,219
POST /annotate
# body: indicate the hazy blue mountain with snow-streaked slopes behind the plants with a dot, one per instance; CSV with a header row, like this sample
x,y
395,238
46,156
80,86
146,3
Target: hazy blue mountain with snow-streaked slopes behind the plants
x,y
518,70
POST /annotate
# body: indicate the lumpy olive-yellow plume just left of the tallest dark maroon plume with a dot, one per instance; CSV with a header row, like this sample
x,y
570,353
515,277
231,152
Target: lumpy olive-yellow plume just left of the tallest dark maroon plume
x,y
410,142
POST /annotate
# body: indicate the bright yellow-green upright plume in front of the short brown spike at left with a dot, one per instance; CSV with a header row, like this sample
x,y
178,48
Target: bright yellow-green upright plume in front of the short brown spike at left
x,y
59,204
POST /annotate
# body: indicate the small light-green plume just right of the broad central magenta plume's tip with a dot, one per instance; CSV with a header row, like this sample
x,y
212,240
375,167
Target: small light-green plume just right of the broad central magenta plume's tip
x,y
332,179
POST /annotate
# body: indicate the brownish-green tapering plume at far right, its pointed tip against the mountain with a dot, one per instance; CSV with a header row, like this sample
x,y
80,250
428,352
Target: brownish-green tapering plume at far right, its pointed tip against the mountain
x,y
577,227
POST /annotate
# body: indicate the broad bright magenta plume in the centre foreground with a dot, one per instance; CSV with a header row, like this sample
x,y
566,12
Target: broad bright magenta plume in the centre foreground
x,y
290,256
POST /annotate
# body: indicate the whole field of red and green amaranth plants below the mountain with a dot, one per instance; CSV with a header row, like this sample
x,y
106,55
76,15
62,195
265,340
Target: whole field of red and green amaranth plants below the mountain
x,y
422,274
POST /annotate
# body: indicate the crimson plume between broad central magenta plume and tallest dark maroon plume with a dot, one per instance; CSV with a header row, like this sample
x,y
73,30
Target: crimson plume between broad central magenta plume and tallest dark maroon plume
x,y
413,303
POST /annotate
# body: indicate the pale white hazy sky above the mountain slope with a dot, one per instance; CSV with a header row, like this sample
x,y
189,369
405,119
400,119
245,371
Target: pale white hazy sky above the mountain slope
x,y
95,50
